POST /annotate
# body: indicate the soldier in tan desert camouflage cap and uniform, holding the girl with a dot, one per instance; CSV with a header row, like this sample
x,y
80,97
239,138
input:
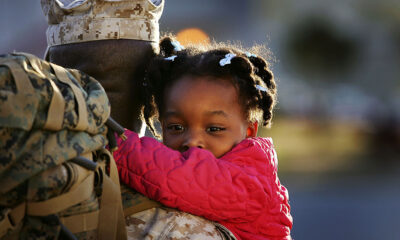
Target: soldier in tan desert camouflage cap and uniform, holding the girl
x,y
113,40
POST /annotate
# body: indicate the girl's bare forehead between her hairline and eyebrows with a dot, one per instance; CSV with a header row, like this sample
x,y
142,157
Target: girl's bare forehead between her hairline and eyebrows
x,y
203,98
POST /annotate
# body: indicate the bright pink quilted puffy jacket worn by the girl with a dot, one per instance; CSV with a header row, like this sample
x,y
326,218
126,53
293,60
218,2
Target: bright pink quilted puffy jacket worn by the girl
x,y
240,190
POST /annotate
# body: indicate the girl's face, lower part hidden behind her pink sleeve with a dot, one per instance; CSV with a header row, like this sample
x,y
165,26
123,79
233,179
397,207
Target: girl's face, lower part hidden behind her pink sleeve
x,y
204,112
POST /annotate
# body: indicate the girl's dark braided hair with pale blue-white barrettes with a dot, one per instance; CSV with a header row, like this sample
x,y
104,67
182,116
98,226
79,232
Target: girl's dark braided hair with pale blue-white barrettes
x,y
249,74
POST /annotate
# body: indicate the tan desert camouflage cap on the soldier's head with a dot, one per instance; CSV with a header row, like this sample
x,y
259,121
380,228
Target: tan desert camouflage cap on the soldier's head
x,y
90,20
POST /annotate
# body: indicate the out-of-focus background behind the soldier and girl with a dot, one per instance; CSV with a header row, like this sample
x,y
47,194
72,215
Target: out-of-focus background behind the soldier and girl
x,y
337,124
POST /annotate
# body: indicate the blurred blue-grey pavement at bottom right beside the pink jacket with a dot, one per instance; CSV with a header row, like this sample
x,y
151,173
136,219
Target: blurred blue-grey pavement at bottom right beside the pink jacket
x,y
365,207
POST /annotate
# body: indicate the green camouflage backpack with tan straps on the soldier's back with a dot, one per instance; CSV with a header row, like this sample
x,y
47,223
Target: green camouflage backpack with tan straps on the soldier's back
x,y
34,166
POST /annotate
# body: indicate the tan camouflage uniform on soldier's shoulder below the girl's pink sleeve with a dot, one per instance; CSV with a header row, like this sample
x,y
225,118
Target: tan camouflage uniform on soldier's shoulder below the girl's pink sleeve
x,y
150,220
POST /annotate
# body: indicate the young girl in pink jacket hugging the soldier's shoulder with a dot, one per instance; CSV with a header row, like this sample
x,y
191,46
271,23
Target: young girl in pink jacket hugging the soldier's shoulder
x,y
211,163
